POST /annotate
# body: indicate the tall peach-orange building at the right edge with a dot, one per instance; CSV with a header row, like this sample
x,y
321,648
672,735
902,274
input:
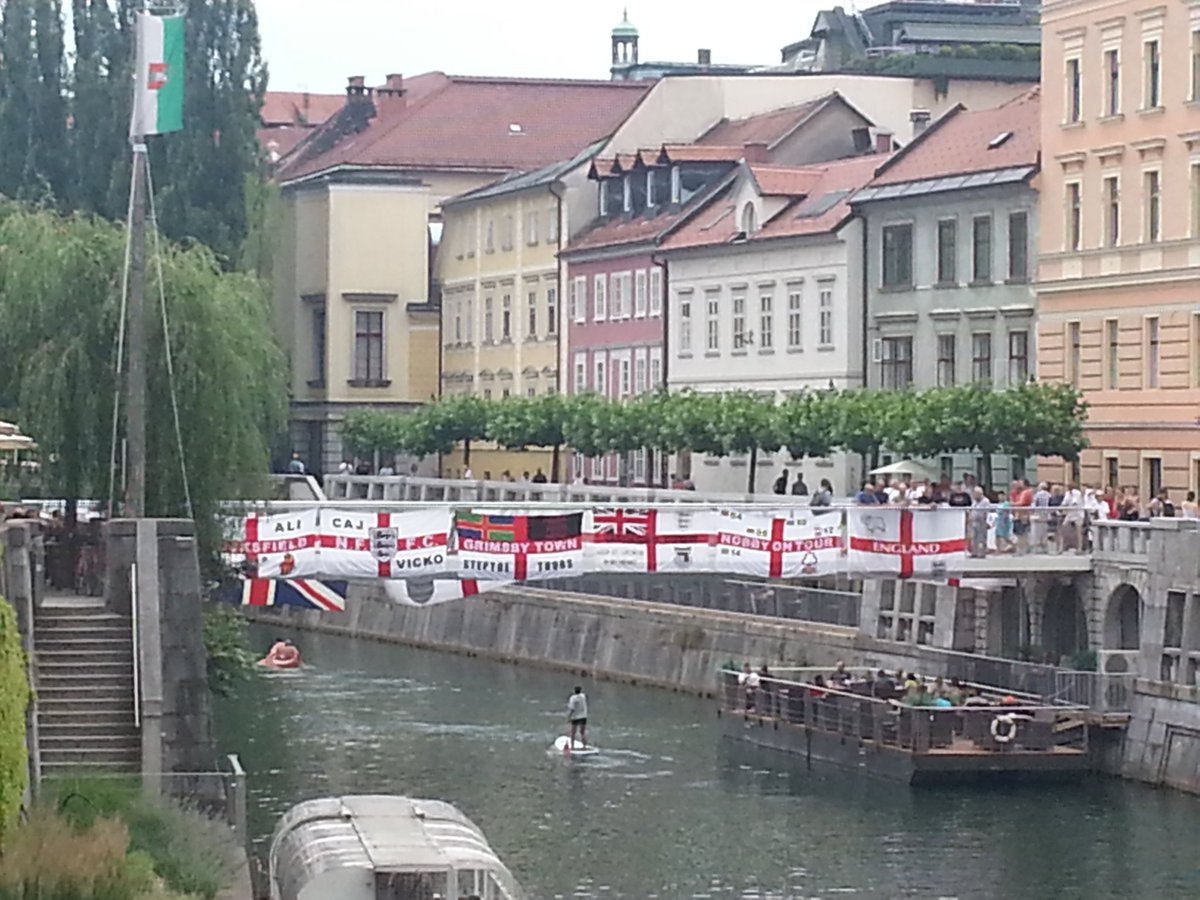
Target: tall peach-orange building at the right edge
x,y
1119,295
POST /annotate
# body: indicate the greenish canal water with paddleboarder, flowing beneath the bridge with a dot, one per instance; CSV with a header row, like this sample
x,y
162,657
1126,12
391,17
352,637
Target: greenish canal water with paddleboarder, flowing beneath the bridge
x,y
670,809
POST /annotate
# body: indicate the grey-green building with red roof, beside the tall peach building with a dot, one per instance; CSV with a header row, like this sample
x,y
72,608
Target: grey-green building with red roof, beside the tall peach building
x,y
951,224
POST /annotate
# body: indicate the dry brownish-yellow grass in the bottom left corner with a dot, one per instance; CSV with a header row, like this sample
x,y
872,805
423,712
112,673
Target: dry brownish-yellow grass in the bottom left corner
x,y
49,859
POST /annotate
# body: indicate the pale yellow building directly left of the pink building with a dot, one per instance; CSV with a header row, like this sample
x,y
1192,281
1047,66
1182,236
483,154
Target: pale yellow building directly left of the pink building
x,y
501,296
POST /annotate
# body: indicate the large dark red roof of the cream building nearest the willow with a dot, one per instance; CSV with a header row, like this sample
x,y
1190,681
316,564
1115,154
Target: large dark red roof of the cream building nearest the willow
x,y
452,122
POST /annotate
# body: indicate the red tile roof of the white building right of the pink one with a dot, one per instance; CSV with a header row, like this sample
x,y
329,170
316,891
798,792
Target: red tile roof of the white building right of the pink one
x,y
820,201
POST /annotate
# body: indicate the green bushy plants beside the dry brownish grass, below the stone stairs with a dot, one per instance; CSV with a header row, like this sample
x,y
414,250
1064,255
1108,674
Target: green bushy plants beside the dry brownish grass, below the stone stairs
x,y
190,851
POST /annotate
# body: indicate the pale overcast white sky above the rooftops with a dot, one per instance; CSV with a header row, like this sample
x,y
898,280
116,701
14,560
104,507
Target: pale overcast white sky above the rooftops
x,y
315,45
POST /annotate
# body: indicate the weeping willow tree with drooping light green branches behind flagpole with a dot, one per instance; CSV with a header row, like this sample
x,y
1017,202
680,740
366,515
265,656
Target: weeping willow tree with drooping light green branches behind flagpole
x,y
61,295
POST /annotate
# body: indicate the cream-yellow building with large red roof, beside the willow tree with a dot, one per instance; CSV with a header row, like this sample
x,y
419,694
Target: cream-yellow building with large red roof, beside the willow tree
x,y
357,302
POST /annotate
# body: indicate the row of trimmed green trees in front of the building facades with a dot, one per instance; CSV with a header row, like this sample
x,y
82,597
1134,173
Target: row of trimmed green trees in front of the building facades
x,y
1025,422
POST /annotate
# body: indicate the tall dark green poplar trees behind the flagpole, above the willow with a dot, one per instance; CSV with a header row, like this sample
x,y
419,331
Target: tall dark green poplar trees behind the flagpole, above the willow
x,y
211,177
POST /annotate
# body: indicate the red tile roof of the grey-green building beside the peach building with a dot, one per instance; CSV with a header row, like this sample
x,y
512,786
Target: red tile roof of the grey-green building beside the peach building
x,y
958,143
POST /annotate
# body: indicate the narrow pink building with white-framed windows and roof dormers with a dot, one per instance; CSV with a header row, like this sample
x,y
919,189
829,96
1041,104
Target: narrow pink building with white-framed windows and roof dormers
x,y
616,285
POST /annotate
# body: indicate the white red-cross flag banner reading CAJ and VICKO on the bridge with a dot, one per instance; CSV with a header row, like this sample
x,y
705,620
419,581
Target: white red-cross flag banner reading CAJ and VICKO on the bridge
x,y
363,544
